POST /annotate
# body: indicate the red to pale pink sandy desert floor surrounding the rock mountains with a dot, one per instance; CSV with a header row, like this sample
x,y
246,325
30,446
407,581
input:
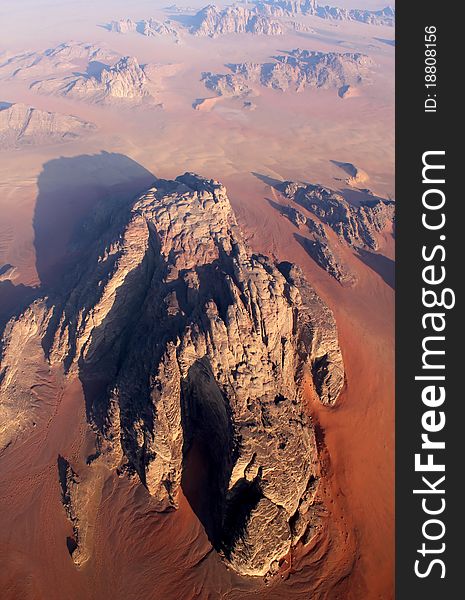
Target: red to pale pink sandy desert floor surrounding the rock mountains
x,y
46,191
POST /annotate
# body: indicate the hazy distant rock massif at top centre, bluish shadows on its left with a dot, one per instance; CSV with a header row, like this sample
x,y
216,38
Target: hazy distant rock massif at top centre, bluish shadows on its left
x,y
213,21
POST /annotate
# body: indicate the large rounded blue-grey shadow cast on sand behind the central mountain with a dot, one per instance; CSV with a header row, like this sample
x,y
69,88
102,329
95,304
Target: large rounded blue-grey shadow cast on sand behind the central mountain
x,y
70,190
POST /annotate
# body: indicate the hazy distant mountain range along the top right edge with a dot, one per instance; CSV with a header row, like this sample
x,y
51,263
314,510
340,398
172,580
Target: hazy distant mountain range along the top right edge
x,y
384,16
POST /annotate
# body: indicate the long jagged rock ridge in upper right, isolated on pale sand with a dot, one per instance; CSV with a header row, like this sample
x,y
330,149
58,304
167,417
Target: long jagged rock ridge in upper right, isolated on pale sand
x,y
296,70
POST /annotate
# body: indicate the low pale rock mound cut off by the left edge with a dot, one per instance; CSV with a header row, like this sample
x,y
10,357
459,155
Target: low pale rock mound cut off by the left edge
x,y
22,125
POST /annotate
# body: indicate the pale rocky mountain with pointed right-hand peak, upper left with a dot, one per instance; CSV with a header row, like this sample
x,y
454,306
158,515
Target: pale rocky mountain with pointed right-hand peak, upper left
x,y
126,80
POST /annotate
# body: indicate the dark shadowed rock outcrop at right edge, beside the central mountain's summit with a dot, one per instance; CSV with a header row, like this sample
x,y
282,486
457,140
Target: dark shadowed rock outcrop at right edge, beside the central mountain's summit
x,y
358,226
